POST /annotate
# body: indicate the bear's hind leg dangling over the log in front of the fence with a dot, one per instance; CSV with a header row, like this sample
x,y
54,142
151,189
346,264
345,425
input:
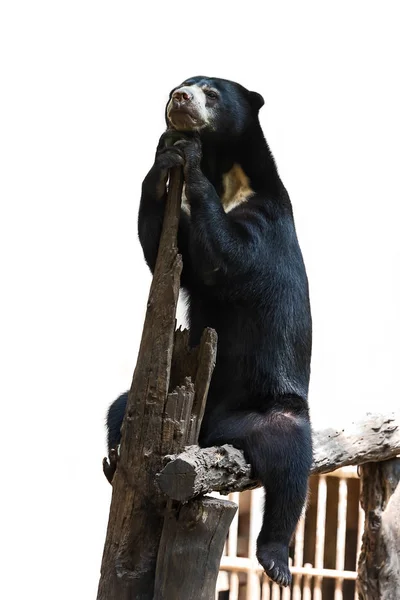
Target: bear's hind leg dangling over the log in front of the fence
x,y
278,446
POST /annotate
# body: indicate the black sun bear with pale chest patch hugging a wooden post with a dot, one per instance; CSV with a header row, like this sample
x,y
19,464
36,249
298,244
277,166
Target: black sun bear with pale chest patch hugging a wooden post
x,y
244,276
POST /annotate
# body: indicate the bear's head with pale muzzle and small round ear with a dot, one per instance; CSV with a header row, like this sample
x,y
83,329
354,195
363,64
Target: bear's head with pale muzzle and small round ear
x,y
209,105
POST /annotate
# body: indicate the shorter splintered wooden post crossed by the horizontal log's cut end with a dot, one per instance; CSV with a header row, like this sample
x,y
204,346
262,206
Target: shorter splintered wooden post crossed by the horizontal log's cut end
x,y
193,534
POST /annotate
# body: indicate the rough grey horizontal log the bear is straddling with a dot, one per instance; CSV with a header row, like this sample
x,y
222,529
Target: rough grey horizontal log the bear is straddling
x,y
372,438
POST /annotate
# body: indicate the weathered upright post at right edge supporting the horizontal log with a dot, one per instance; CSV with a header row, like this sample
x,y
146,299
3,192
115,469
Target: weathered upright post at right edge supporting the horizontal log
x,y
379,563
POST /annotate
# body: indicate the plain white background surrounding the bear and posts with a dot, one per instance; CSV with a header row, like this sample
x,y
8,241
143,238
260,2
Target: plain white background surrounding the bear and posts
x,y
83,89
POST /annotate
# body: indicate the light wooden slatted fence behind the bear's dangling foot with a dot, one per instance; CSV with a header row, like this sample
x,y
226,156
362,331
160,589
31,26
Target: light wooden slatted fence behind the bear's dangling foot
x,y
326,545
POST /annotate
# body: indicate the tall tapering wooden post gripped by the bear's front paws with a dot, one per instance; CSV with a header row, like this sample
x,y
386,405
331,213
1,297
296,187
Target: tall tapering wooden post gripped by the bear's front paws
x,y
135,521
